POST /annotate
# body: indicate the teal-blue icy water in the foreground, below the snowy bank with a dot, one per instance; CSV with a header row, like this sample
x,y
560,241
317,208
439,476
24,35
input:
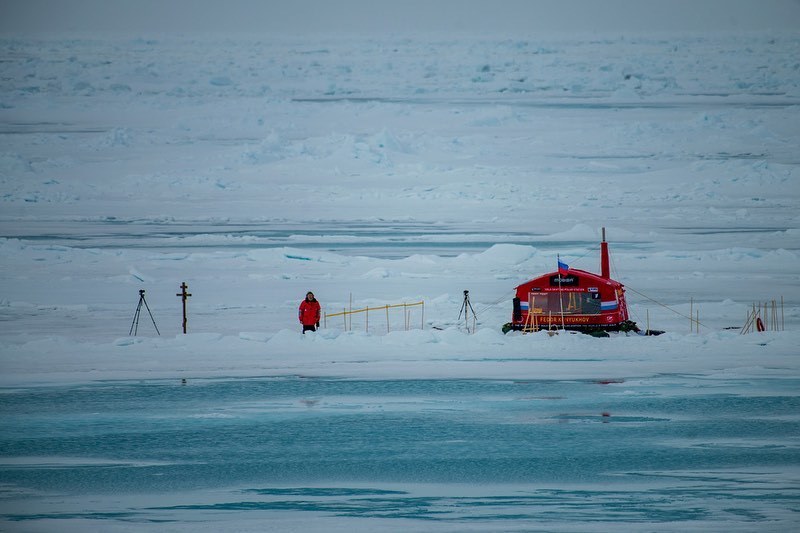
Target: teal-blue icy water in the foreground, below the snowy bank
x,y
669,452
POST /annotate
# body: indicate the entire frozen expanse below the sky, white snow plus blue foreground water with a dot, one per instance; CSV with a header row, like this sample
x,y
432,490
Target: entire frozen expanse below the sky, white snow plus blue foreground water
x,y
378,171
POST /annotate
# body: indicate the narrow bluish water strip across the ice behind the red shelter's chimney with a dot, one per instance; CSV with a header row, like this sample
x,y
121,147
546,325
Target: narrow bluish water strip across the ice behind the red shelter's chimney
x,y
383,239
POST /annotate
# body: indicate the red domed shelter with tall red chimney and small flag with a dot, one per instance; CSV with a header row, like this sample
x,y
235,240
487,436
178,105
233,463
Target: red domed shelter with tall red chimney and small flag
x,y
572,299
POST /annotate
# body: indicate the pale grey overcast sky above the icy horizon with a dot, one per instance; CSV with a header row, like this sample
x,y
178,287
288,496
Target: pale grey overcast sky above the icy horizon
x,y
360,16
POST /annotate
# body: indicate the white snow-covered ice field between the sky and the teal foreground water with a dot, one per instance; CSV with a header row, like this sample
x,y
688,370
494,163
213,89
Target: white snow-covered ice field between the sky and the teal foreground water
x,y
379,171
